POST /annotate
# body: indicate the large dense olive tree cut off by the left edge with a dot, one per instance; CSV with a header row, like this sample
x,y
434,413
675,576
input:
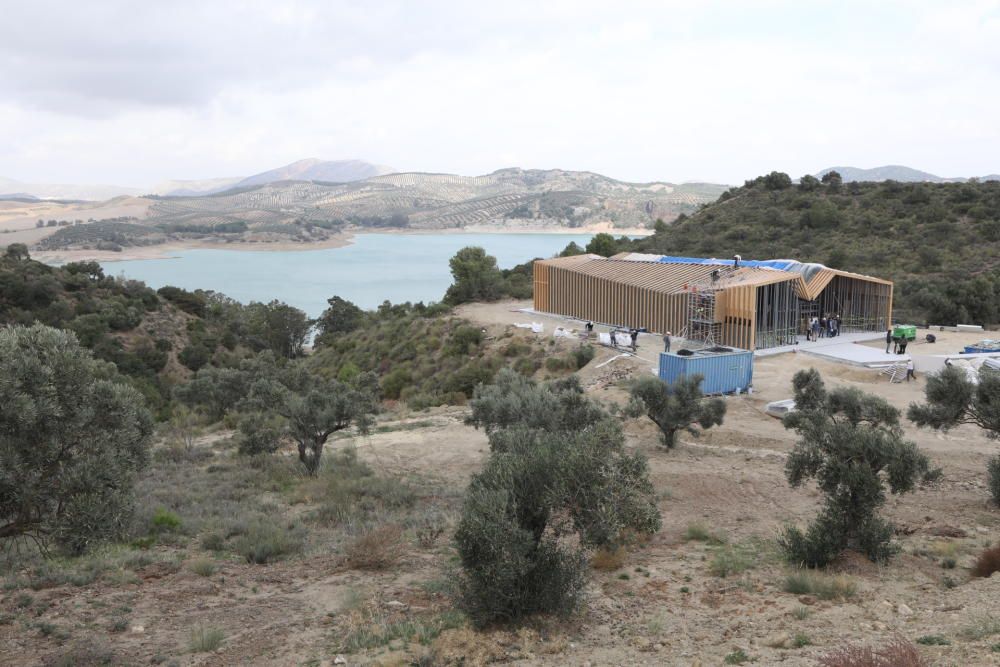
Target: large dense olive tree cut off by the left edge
x,y
72,440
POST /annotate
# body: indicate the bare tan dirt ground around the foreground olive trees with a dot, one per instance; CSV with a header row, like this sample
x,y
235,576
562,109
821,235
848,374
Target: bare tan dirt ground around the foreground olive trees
x,y
666,604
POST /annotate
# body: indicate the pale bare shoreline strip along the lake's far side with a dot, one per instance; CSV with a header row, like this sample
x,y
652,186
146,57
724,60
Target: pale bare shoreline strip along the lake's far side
x,y
346,238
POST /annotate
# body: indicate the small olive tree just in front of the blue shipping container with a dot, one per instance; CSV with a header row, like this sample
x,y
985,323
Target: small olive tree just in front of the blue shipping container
x,y
675,407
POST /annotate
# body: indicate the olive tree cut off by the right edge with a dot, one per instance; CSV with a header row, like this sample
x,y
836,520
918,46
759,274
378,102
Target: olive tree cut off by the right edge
x,y
954,399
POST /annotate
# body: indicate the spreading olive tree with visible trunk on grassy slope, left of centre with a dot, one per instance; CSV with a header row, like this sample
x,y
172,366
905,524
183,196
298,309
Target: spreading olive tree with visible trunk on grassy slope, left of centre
x,y
314,408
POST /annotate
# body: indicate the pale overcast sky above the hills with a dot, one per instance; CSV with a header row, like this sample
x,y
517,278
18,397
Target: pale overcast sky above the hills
x,y
133,93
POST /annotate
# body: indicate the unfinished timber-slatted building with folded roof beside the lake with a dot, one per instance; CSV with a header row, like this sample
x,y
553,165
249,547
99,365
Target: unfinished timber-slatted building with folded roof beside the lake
x,y
745,304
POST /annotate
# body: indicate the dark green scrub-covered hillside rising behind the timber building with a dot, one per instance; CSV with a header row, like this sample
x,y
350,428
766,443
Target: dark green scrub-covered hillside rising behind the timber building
x,y
939,242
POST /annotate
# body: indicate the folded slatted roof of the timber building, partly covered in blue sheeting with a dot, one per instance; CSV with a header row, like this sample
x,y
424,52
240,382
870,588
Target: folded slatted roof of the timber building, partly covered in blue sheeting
x,y
669,274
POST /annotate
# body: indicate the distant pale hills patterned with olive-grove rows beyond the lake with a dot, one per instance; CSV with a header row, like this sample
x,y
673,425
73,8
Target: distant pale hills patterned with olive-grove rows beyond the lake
x,y
306,211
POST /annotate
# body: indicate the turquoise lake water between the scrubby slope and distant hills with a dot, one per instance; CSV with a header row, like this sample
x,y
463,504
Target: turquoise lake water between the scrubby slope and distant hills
x,y
376,267
